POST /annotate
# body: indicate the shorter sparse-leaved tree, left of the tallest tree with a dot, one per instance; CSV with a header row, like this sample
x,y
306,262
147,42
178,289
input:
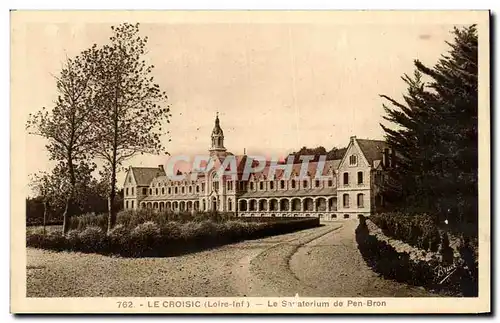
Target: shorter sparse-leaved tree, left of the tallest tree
x,y
68,126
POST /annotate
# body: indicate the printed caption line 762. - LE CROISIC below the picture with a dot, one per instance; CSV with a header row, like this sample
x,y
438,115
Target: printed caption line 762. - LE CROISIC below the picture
x,y
270,304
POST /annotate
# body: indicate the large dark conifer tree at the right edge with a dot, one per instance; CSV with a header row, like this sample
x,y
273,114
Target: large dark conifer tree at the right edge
x,y
436,132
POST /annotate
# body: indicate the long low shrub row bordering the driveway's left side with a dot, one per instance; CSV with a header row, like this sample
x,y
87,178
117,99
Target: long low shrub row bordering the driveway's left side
x,y
152,239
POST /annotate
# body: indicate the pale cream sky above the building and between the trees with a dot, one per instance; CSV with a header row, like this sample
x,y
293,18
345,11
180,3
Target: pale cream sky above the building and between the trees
x,y
276,86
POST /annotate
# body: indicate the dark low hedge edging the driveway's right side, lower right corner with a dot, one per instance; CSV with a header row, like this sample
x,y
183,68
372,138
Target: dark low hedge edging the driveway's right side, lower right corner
x,y
385,260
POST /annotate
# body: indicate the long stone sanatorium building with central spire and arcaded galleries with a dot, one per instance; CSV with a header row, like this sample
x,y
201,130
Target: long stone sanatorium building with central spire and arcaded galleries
x,y
348,186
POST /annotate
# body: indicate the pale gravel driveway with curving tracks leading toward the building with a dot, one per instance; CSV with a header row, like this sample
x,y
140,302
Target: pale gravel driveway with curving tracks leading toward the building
x,y
323,261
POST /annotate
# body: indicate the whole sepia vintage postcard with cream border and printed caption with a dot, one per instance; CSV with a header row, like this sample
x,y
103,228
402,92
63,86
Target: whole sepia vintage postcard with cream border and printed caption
x,y
250,162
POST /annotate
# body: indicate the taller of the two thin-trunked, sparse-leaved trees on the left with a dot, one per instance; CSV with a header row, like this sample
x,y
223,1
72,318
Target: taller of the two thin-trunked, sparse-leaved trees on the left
x,y
131,106
